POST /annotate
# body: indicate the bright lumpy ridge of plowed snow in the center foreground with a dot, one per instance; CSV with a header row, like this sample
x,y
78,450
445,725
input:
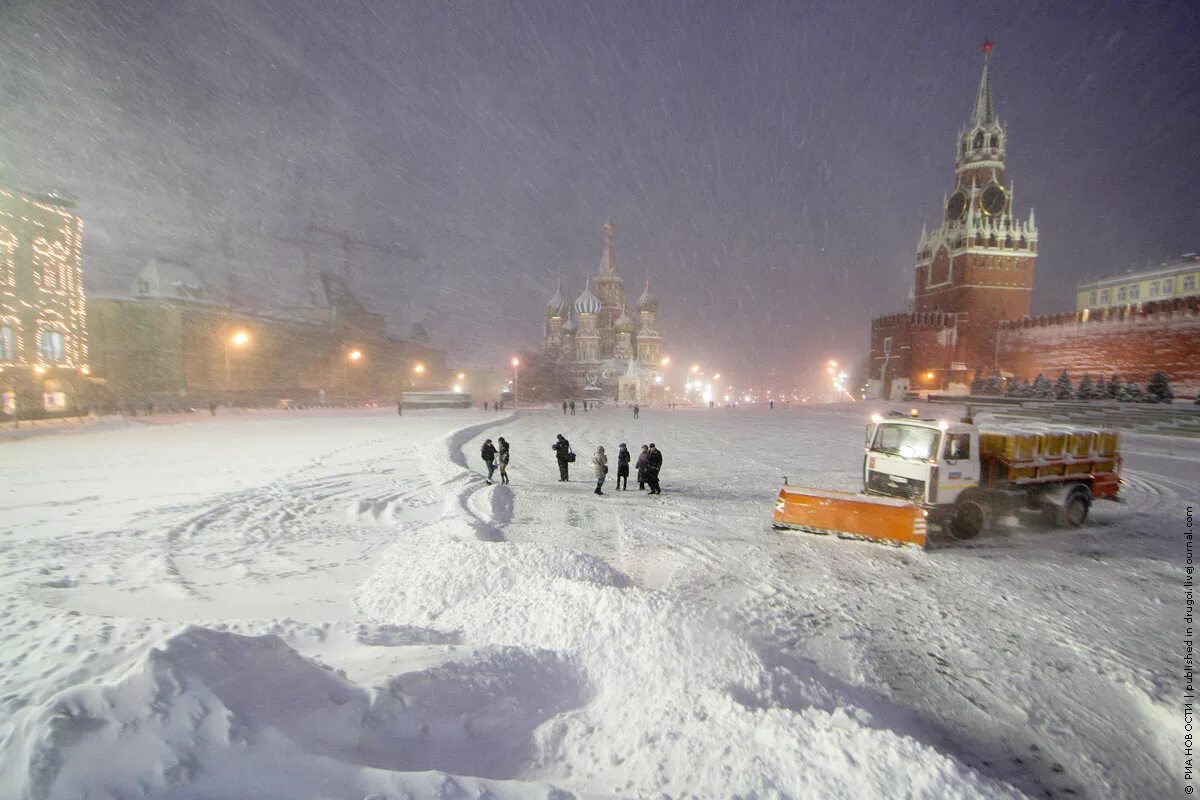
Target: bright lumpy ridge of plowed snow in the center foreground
x,y
679,701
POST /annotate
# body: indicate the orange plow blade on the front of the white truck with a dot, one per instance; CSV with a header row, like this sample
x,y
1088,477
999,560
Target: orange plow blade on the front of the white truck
x,y
848,514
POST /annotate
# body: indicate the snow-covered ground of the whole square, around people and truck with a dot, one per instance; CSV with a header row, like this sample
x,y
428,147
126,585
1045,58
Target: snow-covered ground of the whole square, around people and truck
x,y
334,605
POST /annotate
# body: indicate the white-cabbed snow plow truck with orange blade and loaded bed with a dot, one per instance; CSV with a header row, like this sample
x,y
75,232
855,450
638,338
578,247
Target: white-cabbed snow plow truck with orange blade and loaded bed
x,y
959,478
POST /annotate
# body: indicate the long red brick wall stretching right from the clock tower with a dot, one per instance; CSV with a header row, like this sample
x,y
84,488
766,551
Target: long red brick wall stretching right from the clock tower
x,y
1126,341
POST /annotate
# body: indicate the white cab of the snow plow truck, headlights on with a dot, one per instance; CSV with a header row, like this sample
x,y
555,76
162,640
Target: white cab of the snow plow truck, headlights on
x,y
928,462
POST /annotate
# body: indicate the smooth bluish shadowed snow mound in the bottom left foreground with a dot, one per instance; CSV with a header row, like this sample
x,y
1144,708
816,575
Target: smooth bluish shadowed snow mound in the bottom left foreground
x,y
209,714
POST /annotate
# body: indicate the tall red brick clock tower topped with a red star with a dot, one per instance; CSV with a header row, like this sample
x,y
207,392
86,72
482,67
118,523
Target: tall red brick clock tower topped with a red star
x,y
975,269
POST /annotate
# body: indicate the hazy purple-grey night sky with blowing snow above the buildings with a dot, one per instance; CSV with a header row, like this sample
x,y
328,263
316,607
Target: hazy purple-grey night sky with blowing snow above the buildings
x,y
770,165
